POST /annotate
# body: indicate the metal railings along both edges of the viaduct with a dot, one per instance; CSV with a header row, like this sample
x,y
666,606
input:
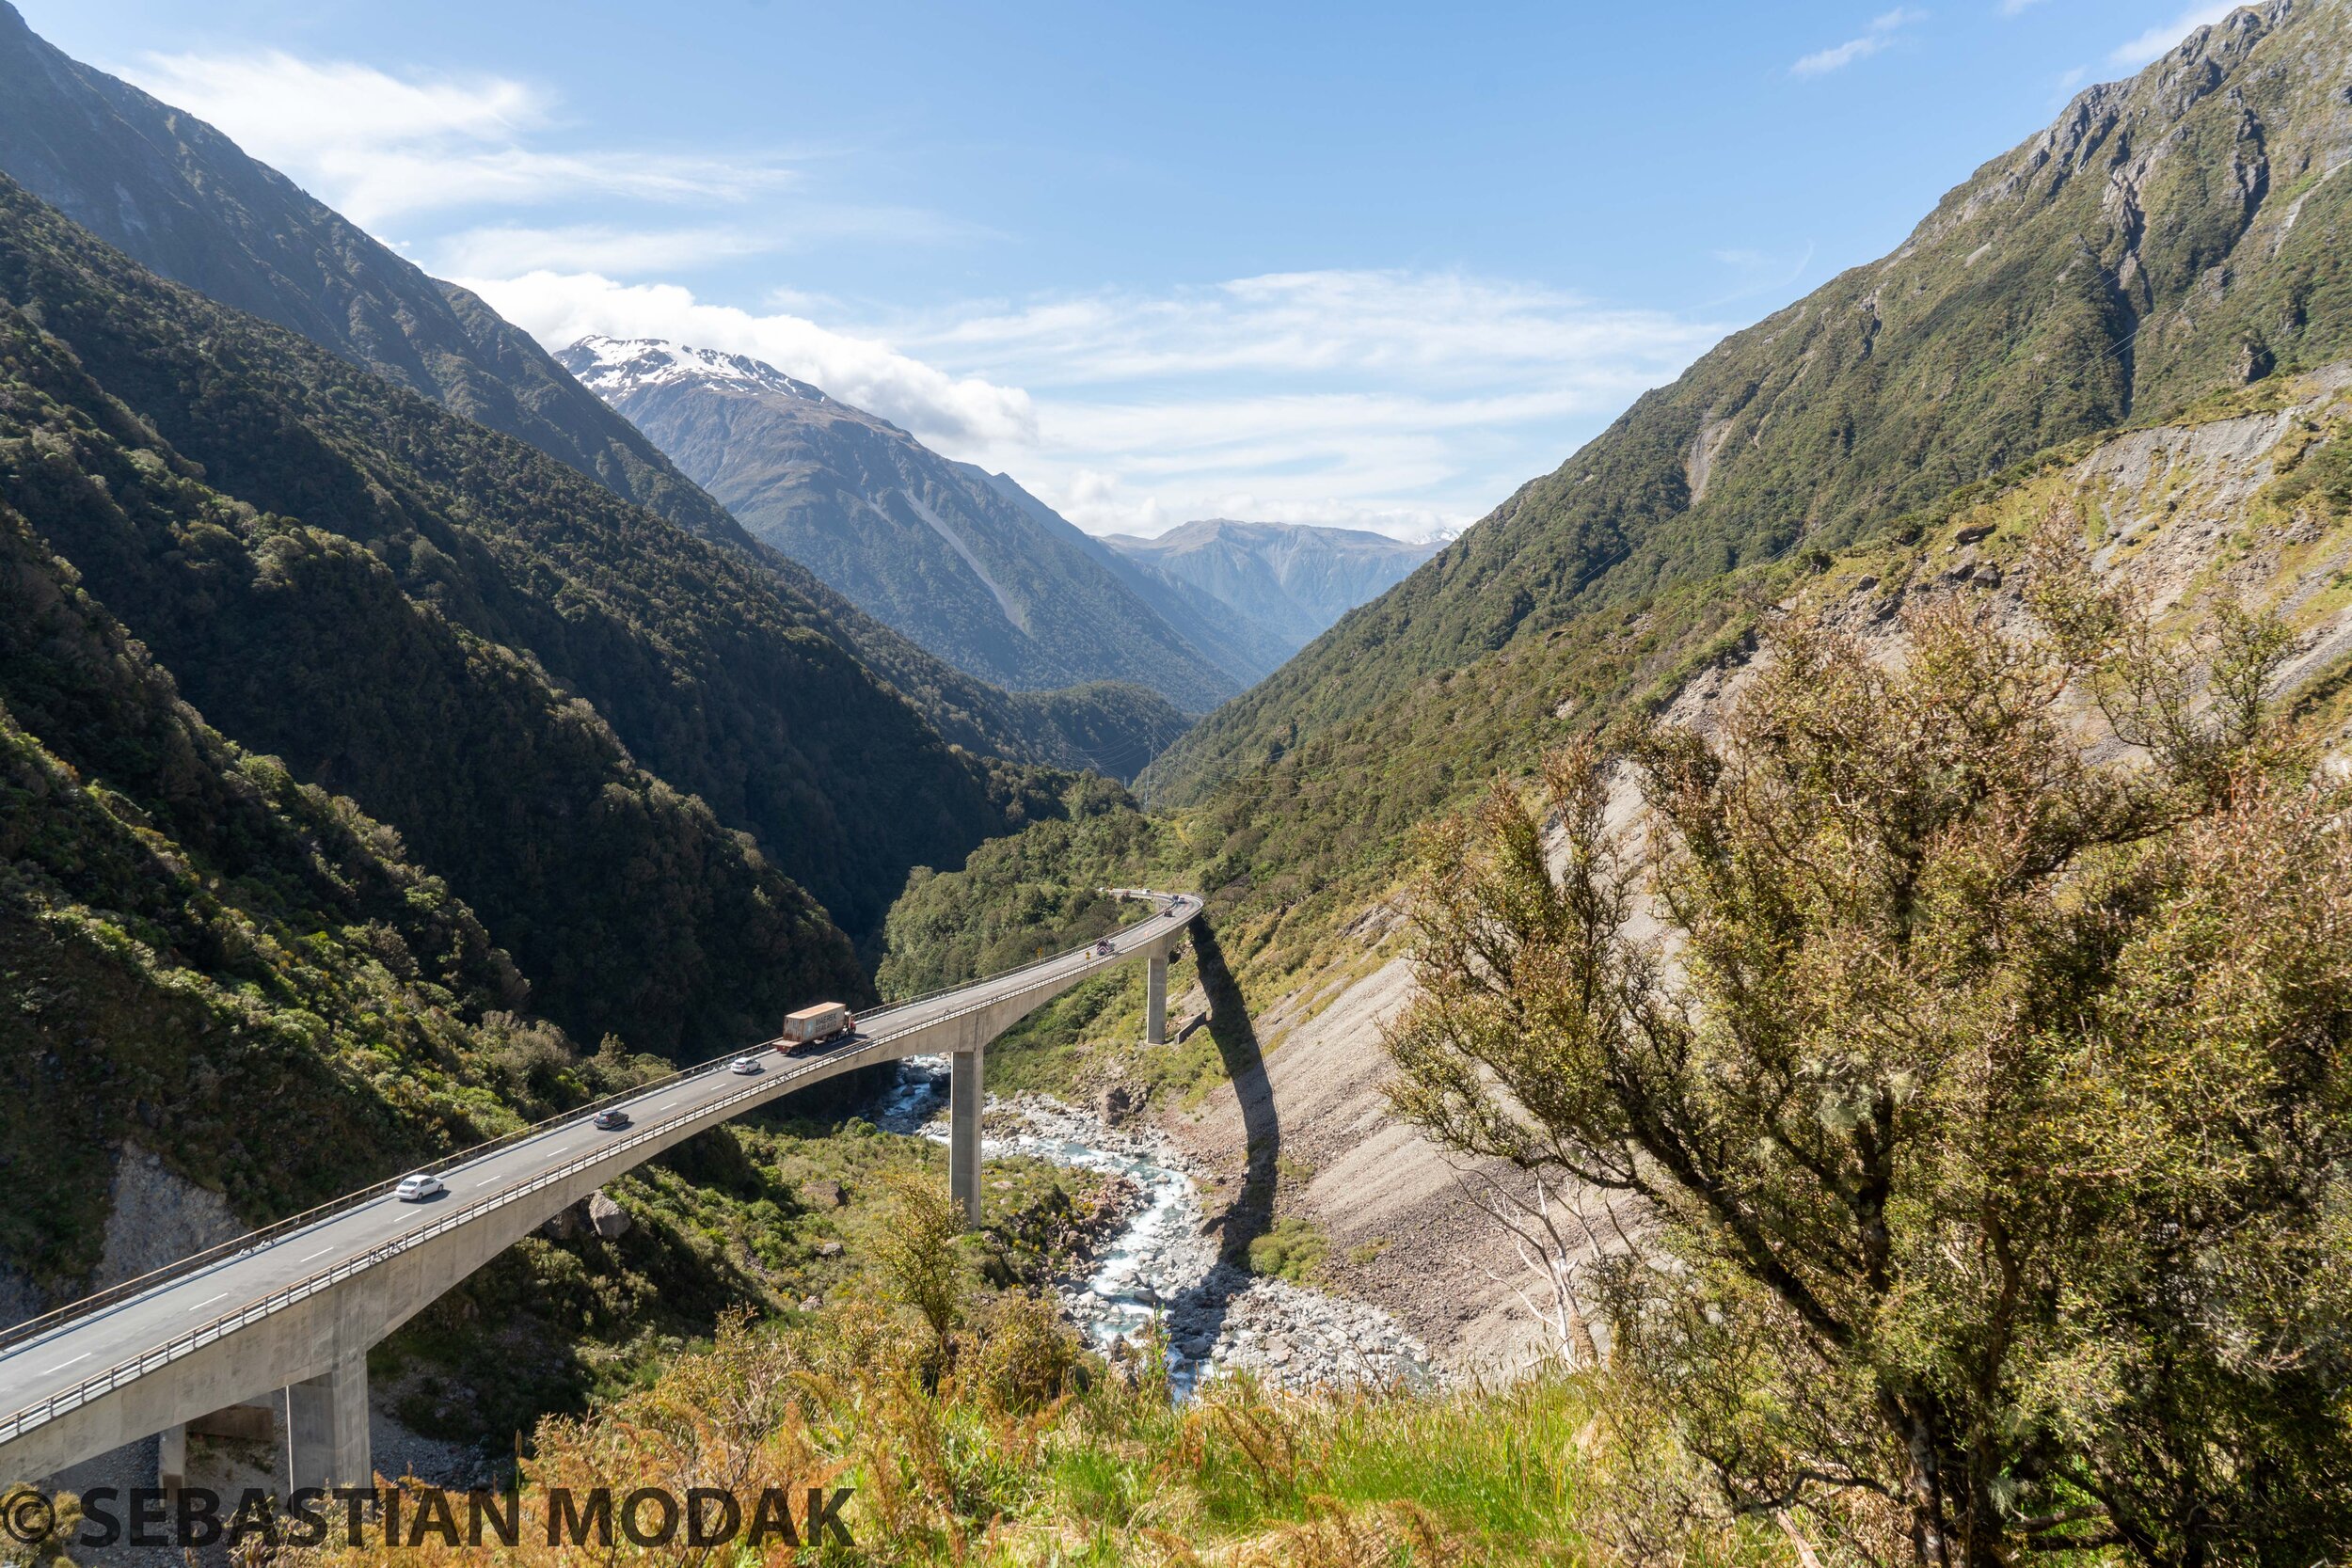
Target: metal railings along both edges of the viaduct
x,y
131,1369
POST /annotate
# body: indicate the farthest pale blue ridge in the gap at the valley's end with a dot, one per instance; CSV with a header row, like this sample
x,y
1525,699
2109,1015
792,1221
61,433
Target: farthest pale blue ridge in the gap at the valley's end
x,y
1288,577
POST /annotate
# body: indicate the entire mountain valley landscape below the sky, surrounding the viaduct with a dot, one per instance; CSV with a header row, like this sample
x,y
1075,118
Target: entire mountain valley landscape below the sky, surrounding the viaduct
x,y
415,732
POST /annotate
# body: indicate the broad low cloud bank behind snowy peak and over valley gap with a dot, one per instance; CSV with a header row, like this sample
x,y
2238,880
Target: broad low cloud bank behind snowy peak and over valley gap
x,y
1387,401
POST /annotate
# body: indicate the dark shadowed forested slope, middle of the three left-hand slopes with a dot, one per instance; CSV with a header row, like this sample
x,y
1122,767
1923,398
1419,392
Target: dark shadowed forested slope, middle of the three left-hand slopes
x,y
479,645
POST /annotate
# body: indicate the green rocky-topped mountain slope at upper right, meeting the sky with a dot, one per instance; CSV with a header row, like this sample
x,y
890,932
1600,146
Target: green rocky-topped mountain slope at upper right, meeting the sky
x,y
2165,236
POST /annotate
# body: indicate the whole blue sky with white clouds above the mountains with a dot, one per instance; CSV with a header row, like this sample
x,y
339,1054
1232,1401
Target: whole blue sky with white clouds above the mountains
x,y
1363,264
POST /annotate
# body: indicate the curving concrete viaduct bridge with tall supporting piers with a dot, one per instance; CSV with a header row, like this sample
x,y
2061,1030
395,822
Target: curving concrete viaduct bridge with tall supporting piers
x,y
298,1306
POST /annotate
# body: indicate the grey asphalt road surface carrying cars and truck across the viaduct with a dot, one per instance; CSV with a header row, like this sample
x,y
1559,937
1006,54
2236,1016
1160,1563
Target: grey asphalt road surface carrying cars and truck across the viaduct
x,y
121,1332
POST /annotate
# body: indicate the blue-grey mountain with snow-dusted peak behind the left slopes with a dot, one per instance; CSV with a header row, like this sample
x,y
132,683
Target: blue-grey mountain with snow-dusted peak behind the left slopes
x,y
930,547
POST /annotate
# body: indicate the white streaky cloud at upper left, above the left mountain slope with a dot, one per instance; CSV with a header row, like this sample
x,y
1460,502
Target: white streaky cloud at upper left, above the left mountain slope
x,y
377,147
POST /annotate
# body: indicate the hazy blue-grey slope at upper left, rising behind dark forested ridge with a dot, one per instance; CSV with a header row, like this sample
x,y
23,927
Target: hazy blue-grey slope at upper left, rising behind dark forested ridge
x,y
189,206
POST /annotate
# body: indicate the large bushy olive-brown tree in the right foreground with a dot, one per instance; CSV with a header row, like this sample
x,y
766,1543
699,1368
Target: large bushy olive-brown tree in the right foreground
x,y
1991,1104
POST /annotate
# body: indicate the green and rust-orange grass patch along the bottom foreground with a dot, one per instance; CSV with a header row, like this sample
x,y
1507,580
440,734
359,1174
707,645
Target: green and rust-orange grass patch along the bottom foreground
x,y
1031,1459
